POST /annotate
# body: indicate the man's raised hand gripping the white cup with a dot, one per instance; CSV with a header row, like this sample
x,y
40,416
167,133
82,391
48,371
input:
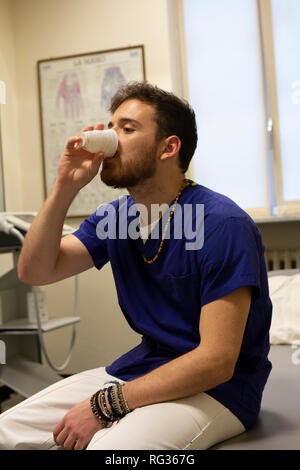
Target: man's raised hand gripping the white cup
x,y
76,165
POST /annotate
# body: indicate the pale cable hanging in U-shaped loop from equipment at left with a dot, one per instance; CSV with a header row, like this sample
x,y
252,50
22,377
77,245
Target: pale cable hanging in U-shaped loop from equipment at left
x,y
9,228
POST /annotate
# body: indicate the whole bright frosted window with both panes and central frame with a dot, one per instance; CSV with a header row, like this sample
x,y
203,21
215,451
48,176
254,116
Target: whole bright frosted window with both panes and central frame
x,y
243,75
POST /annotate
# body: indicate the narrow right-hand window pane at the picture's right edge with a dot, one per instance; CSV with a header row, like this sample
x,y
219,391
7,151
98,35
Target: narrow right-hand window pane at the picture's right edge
x,y
286,36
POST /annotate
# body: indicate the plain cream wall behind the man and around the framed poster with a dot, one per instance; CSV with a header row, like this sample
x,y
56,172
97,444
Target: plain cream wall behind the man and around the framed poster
x,y
39,29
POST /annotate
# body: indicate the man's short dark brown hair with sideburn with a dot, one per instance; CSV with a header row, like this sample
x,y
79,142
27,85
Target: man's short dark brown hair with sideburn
x,y
173,116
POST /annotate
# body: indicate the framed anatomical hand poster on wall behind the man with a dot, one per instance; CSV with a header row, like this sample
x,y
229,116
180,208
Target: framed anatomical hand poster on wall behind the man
x,y
75,92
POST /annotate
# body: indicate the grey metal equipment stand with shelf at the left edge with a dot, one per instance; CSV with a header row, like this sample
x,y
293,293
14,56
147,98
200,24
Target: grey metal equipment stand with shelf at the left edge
x,y
23,371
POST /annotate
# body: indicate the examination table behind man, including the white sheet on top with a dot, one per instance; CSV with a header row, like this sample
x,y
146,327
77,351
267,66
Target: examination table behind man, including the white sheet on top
x,y
278,426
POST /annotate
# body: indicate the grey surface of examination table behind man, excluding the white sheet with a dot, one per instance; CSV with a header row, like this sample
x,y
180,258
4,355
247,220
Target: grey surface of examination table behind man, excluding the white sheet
x,y
278,426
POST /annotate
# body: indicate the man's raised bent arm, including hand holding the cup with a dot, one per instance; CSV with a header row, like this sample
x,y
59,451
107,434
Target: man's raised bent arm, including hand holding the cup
x,y
45,256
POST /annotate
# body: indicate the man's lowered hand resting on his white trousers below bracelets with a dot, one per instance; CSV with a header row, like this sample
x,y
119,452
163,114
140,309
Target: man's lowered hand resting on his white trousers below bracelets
x,y
77,427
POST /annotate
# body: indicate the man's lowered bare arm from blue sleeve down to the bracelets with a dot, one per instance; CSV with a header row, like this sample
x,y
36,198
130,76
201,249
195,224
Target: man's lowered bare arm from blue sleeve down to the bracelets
x,y
222,325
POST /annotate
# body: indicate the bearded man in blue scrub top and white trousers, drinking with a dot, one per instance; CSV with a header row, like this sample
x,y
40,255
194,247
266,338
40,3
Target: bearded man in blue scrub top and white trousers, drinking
x,y
203,309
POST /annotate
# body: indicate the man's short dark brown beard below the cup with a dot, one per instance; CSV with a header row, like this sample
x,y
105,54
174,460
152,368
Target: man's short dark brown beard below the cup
x,y
118,175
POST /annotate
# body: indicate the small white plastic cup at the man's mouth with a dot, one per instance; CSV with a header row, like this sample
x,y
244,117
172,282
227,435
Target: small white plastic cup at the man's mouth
x,y
100,141
